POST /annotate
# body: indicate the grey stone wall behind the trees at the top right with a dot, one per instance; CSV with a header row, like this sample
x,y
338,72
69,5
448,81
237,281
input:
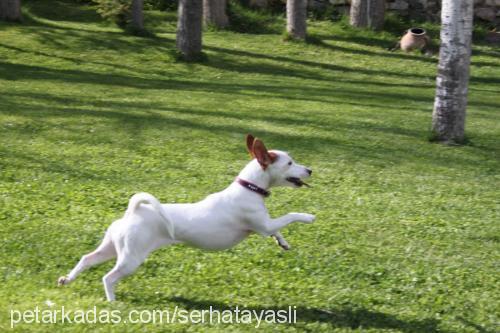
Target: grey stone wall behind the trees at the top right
x,y
486,10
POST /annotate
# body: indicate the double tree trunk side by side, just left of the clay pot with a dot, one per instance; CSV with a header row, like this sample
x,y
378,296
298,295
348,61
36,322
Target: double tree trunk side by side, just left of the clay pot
x,y
367,13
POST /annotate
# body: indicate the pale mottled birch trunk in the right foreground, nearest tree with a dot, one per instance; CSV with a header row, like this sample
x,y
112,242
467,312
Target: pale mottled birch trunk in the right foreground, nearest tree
x,y
448,118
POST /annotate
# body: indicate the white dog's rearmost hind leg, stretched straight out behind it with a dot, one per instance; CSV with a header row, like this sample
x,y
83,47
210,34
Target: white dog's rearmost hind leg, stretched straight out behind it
x,y
104,252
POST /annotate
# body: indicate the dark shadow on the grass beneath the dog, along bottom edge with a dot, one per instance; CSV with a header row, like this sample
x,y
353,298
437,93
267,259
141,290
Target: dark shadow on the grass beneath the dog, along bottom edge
x,y
347,317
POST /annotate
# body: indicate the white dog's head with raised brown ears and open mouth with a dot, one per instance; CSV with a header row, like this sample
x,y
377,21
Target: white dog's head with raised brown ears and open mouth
x,y
281,168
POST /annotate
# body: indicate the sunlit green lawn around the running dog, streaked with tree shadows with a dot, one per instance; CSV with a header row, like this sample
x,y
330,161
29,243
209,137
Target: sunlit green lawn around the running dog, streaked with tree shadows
x,y
407,233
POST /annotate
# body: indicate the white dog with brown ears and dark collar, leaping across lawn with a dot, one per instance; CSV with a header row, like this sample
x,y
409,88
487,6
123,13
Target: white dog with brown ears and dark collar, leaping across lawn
x,y
220,221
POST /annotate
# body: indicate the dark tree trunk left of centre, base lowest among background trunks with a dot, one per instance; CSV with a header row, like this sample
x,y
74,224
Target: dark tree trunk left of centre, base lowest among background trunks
x,y
189,26
